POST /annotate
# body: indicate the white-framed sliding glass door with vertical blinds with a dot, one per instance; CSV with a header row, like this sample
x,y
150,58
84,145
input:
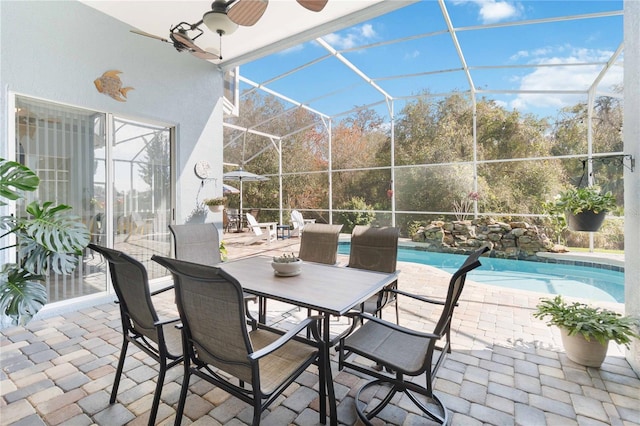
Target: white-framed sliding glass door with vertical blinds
x,y
114,173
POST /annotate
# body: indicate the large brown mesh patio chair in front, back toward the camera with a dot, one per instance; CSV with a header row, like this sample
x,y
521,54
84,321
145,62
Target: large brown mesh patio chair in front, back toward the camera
x,y
219,346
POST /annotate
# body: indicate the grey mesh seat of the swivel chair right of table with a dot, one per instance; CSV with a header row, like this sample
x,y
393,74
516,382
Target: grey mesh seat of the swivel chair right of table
x,y
401,352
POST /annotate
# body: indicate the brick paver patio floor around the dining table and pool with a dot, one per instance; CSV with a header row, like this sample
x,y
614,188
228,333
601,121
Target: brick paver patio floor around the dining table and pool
x,y
506,367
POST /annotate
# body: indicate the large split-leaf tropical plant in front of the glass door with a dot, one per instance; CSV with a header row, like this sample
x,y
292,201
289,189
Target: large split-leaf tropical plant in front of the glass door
x,y
48,239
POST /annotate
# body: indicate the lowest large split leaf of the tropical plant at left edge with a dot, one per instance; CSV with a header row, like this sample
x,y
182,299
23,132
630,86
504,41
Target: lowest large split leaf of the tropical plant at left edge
x,y
21,293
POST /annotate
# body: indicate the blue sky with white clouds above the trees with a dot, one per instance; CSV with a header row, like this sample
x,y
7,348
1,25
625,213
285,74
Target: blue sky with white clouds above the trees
x,y
502,57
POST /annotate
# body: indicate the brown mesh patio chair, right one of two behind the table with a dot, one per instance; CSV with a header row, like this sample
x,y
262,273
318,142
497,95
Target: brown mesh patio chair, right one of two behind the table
x,y
376,249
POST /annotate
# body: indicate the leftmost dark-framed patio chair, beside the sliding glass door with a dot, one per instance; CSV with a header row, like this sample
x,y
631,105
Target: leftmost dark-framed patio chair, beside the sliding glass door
x,y
141,325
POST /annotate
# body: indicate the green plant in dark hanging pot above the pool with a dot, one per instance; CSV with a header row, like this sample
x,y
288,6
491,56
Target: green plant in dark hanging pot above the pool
x,y
584,208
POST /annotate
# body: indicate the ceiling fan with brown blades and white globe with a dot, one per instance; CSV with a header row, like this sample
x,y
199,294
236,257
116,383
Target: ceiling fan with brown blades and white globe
x,y
223,19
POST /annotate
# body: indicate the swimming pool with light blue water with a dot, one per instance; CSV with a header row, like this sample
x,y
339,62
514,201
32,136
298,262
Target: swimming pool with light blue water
x,y
569,280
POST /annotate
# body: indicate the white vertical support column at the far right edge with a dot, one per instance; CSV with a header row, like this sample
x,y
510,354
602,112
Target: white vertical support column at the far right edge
x,y
631,137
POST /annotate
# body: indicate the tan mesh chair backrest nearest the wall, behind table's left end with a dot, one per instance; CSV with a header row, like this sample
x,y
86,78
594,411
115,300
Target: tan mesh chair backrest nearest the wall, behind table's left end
x,y
197,243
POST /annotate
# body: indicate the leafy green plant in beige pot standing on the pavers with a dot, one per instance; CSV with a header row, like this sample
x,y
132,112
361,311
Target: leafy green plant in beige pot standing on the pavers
x,y
586,330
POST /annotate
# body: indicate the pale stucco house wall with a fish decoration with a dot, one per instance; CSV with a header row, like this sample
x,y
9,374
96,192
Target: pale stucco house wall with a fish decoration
x,y
55,50
